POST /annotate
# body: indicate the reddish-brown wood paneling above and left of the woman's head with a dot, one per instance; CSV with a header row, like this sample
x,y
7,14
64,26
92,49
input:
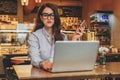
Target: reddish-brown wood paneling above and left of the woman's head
x,y
29,16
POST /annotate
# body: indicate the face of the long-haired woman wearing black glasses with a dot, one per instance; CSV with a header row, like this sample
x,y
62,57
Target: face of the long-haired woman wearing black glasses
x,y
47,17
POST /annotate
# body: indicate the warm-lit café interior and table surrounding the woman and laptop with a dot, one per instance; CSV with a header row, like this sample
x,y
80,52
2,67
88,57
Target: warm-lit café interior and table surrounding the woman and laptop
x,y
101,20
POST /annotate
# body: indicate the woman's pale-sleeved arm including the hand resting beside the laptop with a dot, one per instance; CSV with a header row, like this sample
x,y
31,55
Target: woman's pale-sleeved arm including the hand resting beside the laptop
x,y
35,55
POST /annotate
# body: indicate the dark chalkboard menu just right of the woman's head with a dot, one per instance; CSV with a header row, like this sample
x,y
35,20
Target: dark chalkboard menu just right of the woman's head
x,y
70,11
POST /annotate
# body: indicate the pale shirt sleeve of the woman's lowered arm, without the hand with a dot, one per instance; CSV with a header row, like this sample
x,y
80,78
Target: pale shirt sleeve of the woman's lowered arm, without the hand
x,y
33,48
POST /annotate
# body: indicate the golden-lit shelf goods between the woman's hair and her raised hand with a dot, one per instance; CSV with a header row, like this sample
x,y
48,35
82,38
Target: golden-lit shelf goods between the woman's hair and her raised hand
x,y
69,25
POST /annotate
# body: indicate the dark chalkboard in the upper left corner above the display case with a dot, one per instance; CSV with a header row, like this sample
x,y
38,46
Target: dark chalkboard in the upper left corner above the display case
x,y
8,7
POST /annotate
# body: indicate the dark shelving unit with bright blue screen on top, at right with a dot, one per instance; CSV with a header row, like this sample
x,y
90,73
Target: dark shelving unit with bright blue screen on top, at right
x,y
100,24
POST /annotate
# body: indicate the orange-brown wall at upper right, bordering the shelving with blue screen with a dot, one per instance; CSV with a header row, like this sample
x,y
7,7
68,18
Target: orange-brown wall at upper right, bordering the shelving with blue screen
x,y
90,6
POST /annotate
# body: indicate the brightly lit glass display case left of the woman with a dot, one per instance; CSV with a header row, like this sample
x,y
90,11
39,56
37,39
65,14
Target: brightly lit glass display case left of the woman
x,y
13,38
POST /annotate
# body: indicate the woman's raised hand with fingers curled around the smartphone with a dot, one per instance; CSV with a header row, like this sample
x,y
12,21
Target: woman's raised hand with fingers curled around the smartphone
x,y
79,32
